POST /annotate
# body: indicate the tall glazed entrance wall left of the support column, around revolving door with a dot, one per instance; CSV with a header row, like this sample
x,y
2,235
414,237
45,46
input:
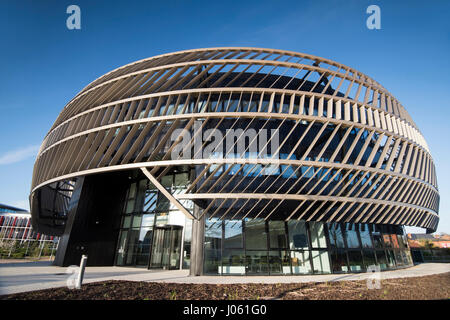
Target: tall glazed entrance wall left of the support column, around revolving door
x,y
153,232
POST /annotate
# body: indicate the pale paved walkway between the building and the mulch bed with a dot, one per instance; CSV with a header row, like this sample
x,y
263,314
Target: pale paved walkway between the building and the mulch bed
x,y
29,276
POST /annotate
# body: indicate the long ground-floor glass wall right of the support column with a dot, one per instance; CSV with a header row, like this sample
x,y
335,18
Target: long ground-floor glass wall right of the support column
x,y
259,247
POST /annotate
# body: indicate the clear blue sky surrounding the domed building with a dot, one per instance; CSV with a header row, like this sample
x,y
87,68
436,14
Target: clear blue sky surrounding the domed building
x,y
44,64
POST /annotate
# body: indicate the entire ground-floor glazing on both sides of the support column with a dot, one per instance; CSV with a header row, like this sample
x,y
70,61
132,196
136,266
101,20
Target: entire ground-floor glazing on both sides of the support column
x,y
155,234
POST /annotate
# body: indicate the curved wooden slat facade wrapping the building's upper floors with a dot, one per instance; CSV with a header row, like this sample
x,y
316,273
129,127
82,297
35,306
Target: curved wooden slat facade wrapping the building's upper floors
x,y
351,151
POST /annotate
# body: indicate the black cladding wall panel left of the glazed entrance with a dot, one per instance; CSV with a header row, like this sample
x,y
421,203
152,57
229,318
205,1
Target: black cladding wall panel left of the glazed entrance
x,y
93,220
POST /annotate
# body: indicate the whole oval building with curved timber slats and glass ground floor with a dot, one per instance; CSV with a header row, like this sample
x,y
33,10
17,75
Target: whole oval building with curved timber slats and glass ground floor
x,y
235,161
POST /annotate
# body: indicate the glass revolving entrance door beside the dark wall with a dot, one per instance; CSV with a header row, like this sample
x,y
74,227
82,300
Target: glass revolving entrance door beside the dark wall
x,y
166,248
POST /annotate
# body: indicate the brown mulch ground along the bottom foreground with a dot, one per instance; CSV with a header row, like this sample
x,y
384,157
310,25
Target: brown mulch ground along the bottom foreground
x,y
417,288
